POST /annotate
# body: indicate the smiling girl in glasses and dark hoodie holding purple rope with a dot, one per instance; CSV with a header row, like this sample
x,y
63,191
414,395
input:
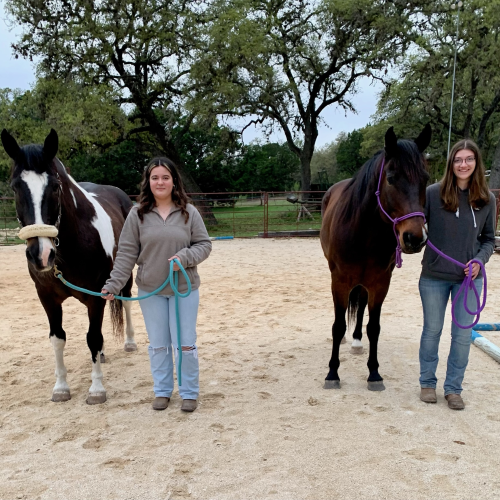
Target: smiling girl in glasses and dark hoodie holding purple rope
x,y
460,213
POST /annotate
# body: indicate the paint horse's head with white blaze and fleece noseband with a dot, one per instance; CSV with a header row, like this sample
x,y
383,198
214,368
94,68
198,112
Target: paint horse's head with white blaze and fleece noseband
x,y
37,189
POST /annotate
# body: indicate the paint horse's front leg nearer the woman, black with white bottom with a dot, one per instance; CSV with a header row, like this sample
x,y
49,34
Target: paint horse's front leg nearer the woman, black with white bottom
x,y
95,341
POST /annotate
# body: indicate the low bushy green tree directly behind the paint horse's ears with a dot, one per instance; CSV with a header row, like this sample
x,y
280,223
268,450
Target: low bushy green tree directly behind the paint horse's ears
x,y
86,119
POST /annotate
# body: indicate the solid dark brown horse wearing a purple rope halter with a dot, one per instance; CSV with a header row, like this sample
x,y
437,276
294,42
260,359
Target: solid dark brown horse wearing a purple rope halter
x,y
359,244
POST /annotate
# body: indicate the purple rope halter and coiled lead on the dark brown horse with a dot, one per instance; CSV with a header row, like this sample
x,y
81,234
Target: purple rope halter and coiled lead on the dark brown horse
x,y
467,284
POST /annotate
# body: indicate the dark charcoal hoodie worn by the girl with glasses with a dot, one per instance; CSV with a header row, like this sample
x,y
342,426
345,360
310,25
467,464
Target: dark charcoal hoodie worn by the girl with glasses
x,y
463,235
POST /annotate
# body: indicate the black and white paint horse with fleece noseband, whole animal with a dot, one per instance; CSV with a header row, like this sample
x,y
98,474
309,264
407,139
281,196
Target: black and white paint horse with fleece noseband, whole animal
x,y
87,220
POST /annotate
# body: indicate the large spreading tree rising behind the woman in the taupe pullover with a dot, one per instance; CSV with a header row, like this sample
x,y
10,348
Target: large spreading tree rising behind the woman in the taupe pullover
x,y
143,50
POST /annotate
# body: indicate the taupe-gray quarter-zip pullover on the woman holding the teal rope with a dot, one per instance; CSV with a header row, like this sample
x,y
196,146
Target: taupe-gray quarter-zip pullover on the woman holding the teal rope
x,y
152,242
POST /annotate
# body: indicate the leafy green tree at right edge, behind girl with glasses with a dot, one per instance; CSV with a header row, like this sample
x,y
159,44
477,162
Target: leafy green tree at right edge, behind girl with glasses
x,y
424,93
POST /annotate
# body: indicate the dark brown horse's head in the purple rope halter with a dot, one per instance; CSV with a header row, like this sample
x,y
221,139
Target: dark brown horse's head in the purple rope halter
x,y
403,184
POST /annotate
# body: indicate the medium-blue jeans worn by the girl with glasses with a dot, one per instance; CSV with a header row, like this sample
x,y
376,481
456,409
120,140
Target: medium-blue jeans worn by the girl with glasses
x,y
435,294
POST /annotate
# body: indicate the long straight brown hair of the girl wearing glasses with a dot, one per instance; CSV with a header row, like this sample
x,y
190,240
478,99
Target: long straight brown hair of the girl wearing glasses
x,y
478,188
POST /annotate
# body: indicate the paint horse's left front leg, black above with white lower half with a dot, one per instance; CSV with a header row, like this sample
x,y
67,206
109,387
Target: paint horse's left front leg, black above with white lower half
x,y
57,338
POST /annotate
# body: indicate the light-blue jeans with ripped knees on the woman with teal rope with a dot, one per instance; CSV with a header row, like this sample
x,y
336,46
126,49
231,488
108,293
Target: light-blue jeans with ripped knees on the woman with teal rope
x,y
161,325
